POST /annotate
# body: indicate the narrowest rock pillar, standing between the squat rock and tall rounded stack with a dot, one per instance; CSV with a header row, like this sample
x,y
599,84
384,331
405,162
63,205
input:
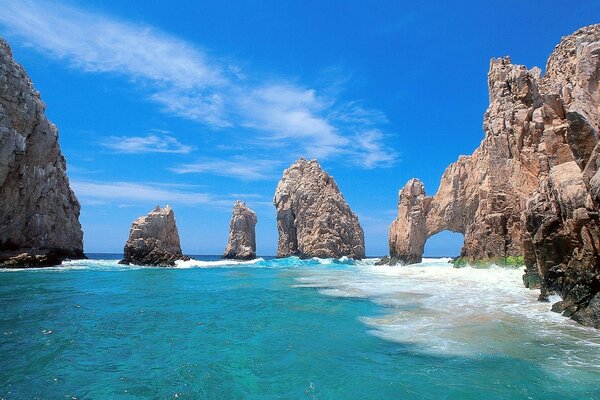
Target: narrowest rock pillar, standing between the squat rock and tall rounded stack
x,y
242,235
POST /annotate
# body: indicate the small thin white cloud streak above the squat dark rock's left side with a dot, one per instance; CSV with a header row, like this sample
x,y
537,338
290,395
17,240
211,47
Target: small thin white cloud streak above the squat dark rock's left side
x,y
146,144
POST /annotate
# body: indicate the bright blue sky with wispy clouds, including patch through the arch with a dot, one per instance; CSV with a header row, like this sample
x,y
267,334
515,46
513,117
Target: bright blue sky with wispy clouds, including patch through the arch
x,y
197,104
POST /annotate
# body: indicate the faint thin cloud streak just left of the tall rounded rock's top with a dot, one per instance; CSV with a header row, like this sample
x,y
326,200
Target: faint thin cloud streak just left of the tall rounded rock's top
x,y
240,168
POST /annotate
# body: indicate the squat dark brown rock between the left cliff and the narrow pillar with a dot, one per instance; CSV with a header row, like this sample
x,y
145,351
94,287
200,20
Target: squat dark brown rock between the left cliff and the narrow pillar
x,y
154,240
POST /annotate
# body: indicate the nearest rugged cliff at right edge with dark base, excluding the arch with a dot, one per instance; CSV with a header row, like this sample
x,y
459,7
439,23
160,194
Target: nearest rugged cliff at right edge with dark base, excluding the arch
x,y
562,245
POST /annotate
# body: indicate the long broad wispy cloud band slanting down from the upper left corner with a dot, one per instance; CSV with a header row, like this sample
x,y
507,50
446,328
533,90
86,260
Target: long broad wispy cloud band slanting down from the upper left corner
x,y
187,83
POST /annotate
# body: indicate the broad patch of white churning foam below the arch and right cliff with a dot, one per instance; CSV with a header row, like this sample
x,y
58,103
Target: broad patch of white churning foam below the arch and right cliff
x,y
438,309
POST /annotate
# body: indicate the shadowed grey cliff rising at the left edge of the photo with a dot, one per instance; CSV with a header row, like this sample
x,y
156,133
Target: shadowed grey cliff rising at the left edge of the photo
x,y
39,214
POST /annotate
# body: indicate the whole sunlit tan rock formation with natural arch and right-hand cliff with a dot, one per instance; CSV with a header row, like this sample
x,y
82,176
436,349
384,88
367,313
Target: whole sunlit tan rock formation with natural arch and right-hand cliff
x,y
532,187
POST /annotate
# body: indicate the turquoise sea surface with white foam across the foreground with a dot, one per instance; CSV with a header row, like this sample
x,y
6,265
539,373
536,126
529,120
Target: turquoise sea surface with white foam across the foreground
x,y
286,329
